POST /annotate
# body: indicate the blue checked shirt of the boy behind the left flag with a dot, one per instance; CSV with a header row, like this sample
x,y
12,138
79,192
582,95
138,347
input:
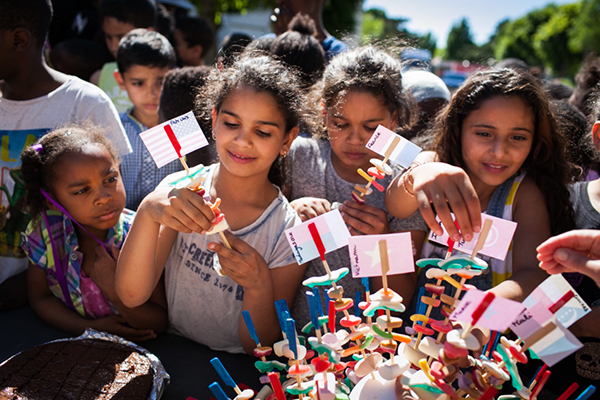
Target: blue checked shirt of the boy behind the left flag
x,y
140,174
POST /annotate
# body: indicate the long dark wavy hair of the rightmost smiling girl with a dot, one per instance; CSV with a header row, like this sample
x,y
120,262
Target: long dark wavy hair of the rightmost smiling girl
x,y
546,163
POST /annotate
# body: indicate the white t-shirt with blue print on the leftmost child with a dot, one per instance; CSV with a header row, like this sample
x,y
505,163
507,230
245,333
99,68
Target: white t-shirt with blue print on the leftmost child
x,y
21,124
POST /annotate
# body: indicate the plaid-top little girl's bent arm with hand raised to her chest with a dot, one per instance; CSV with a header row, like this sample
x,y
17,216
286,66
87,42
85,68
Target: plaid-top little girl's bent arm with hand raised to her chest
x,y
150,315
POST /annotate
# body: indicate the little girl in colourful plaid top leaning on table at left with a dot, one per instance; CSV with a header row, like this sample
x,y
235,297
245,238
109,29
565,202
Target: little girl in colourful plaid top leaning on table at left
x,y
75,192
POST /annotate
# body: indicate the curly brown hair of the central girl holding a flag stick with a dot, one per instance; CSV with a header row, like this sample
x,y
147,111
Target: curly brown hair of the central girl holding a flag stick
x,y
263,74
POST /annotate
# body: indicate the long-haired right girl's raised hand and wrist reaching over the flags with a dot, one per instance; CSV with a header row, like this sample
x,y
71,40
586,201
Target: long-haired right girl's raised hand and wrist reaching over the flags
x,y
438,186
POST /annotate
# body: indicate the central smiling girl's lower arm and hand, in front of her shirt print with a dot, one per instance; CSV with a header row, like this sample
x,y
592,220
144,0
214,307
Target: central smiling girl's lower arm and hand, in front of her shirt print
x,y
262,286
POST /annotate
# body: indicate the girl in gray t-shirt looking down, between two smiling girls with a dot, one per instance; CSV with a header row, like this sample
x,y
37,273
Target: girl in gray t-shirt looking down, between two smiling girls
x,y
361,89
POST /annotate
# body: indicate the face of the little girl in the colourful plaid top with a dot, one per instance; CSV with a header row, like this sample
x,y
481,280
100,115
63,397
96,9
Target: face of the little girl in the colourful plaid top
x,y
89,186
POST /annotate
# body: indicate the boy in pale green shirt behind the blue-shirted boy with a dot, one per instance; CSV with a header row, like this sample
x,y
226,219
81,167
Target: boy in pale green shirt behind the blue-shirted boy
x,y
117,18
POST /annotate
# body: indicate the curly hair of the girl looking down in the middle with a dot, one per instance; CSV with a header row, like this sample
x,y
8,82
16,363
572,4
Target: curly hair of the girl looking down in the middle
x,y
368,69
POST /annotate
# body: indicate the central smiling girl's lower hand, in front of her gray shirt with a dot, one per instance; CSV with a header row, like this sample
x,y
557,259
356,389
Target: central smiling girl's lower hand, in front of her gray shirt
x,y
242,263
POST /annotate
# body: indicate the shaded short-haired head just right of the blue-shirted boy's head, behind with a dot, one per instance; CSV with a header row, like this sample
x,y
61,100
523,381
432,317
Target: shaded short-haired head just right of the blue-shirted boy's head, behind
x,y
193,40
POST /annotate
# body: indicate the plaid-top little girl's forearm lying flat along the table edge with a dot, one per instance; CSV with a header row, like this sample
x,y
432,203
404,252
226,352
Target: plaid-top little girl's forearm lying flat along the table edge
x,y
53,311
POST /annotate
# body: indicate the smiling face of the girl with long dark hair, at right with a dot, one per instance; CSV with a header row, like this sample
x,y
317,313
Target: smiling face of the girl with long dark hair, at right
x,y
496,140
